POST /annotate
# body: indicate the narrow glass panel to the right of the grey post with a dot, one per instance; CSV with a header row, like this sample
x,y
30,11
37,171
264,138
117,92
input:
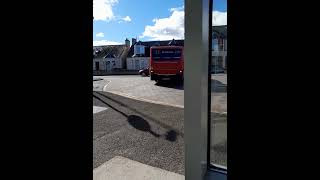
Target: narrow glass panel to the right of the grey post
x,y
218,146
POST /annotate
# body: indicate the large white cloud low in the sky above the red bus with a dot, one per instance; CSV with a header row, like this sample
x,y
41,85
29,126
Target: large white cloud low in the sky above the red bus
x,y
173,26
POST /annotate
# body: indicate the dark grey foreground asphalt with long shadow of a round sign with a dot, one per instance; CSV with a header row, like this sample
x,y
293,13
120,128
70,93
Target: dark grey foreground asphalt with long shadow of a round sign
x,y
148,133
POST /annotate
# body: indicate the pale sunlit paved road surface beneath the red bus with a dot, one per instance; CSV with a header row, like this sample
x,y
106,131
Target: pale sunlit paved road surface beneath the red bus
x,y
164,92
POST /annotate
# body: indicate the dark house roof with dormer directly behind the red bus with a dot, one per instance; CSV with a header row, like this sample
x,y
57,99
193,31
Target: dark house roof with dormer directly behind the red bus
x,y
148,44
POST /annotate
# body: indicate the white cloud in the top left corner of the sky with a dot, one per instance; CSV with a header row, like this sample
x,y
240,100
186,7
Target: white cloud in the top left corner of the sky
x,y
102,9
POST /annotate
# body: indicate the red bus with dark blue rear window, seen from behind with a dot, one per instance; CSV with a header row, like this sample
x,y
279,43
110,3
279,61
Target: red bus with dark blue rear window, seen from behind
x,y
166,62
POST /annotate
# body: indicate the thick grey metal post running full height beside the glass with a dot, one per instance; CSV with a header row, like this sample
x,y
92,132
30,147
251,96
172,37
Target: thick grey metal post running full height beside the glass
x,y
196,50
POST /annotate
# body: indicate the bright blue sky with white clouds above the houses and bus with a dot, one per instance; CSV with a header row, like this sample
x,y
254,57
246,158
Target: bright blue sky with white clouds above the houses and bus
x,y
116,20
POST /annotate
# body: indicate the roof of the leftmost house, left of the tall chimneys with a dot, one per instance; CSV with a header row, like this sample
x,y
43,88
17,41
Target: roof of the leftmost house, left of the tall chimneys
x,y
109,51
